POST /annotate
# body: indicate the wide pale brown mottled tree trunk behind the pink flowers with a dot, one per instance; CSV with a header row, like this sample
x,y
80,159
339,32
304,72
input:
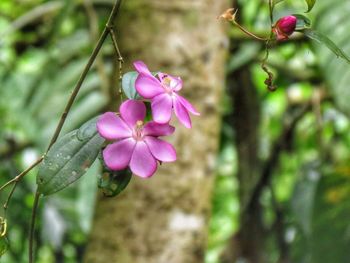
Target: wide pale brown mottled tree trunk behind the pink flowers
x,y
164,219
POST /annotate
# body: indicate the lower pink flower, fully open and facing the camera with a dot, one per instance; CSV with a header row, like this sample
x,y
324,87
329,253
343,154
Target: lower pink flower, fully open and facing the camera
x,y
137,144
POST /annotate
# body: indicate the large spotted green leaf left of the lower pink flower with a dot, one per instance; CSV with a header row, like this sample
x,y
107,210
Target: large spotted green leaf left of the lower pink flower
x,y
69,158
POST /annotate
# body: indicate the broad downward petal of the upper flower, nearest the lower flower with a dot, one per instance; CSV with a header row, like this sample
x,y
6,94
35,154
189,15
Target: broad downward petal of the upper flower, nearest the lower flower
x,y
161,108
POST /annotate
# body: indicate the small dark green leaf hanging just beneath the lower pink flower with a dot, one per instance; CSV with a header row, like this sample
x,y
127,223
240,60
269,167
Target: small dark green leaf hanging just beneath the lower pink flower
x,y
113,183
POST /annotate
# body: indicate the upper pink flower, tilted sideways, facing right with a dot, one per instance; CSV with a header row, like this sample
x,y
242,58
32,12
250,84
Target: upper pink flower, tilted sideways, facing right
x,y
163,93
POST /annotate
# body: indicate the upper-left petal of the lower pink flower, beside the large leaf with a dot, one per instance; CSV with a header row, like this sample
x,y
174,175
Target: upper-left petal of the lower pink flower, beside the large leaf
x,y
111,127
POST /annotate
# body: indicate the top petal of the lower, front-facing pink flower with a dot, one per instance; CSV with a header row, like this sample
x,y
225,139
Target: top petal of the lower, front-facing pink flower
x,y
132,111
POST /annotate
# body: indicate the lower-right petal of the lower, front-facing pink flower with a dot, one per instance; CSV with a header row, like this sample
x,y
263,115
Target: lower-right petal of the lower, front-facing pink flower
x,y
161,150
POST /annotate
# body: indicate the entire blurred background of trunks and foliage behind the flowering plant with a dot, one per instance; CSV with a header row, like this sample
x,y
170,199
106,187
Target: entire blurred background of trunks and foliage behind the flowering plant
x,y
261,177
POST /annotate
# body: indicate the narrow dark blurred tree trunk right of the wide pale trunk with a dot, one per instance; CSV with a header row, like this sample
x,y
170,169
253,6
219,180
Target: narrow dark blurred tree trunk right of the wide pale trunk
x,y
248,243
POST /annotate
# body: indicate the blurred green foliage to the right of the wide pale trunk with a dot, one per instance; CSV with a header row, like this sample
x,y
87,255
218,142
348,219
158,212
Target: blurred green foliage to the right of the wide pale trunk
x,y
311,182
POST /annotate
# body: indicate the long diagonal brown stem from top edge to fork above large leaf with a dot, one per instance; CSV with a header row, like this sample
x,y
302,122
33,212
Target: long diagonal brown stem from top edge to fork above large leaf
x,y
86,70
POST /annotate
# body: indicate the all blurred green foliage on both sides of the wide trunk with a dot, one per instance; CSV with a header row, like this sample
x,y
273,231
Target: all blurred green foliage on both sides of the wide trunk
x,y
41,56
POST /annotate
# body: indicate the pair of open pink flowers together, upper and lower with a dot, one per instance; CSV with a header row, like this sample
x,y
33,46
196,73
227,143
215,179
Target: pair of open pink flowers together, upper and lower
x,y
137,144
